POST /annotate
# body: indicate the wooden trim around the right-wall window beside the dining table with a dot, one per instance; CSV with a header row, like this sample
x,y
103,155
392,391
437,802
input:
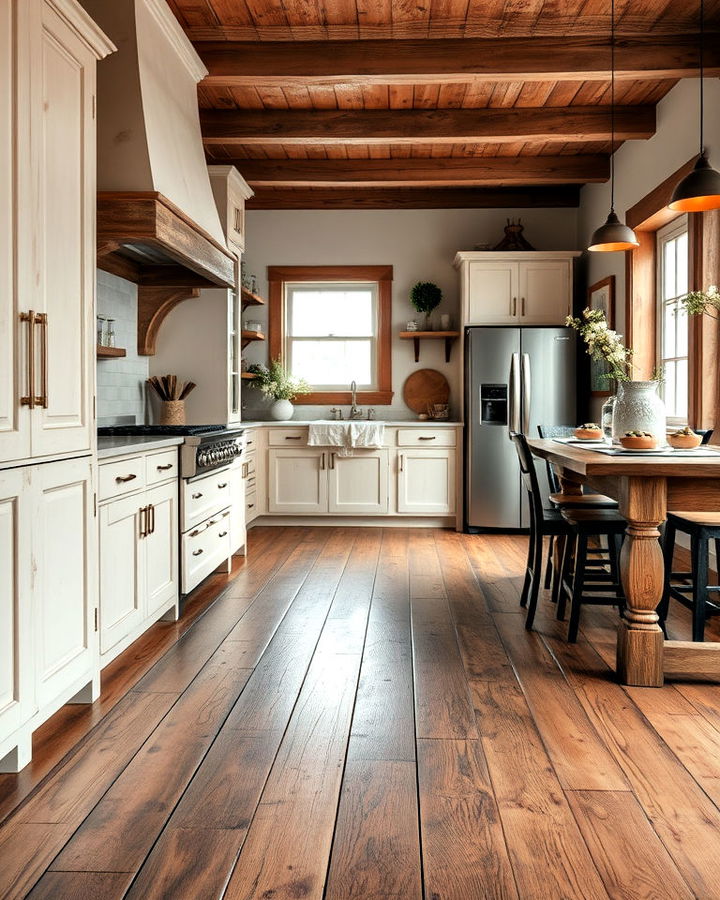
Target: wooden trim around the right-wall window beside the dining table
x,y
646,217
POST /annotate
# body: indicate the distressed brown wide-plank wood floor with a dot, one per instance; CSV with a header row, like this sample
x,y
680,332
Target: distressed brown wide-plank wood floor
x,y
362,715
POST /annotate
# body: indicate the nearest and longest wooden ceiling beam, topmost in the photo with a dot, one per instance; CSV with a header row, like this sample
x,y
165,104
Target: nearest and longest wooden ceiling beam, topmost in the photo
x,y
364,62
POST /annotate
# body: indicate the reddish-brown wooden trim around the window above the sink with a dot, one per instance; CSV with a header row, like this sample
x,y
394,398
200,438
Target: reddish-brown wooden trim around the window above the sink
x,y
383,275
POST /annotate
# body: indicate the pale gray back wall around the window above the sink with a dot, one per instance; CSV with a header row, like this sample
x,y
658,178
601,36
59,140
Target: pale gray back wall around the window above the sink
x,y
419,244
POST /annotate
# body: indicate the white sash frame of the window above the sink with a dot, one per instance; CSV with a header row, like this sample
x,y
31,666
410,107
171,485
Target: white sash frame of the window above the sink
x,y
350,286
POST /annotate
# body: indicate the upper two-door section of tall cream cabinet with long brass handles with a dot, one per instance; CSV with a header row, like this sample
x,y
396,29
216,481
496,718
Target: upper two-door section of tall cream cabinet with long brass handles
x,y
47,228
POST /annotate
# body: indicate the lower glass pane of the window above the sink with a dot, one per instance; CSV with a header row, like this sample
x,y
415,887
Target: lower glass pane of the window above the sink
x,y
334,363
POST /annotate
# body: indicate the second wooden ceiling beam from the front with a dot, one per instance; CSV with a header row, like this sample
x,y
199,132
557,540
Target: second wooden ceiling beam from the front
x,y
427,126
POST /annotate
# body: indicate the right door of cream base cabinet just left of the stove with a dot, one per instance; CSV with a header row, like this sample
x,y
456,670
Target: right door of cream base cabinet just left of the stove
x,y
161,548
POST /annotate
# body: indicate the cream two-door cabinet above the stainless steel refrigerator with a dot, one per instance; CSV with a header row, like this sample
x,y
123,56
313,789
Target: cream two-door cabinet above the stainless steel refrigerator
x,y
520,288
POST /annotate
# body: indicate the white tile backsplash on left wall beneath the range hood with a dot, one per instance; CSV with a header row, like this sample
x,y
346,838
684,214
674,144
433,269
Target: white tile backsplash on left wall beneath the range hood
x,y
120,382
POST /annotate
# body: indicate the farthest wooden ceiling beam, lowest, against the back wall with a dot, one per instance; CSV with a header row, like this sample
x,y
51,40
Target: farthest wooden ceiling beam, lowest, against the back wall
x,y
417,198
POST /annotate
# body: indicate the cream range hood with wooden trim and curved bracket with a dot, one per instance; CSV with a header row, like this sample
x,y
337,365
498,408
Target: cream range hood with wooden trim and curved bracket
x,y
157,222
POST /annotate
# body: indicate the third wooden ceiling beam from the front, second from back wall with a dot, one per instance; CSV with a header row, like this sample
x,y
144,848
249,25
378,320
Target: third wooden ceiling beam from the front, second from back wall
x,y
432,172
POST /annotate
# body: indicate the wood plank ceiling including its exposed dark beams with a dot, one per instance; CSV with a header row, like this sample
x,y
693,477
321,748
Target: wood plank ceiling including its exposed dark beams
x,y
433,103
